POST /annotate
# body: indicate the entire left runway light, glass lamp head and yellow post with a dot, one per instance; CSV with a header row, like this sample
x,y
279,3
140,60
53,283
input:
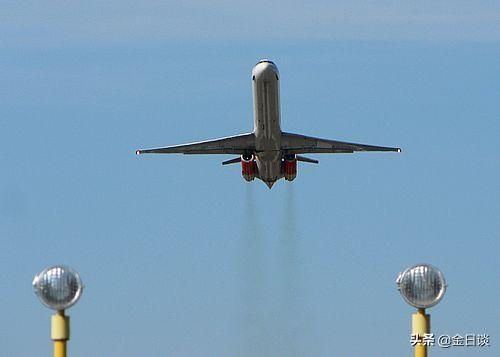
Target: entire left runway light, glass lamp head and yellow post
x,y
58,288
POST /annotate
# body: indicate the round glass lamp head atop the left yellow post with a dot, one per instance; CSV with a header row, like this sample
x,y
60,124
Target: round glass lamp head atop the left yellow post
x,y
58,287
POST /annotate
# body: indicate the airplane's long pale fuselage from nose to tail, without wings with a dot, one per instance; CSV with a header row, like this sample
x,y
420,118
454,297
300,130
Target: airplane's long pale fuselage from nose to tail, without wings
x,y
267,128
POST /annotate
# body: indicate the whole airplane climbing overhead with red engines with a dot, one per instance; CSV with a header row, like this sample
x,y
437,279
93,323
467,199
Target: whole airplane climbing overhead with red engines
x,y
267,153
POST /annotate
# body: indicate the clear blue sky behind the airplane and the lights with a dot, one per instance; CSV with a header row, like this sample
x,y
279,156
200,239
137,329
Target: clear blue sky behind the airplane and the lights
x,y
179,255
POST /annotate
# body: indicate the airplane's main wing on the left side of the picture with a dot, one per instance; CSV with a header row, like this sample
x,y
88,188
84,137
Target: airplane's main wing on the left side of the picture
x,y
238,145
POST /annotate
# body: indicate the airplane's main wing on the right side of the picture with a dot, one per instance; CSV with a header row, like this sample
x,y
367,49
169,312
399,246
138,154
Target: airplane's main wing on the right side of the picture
x,y
301,144
